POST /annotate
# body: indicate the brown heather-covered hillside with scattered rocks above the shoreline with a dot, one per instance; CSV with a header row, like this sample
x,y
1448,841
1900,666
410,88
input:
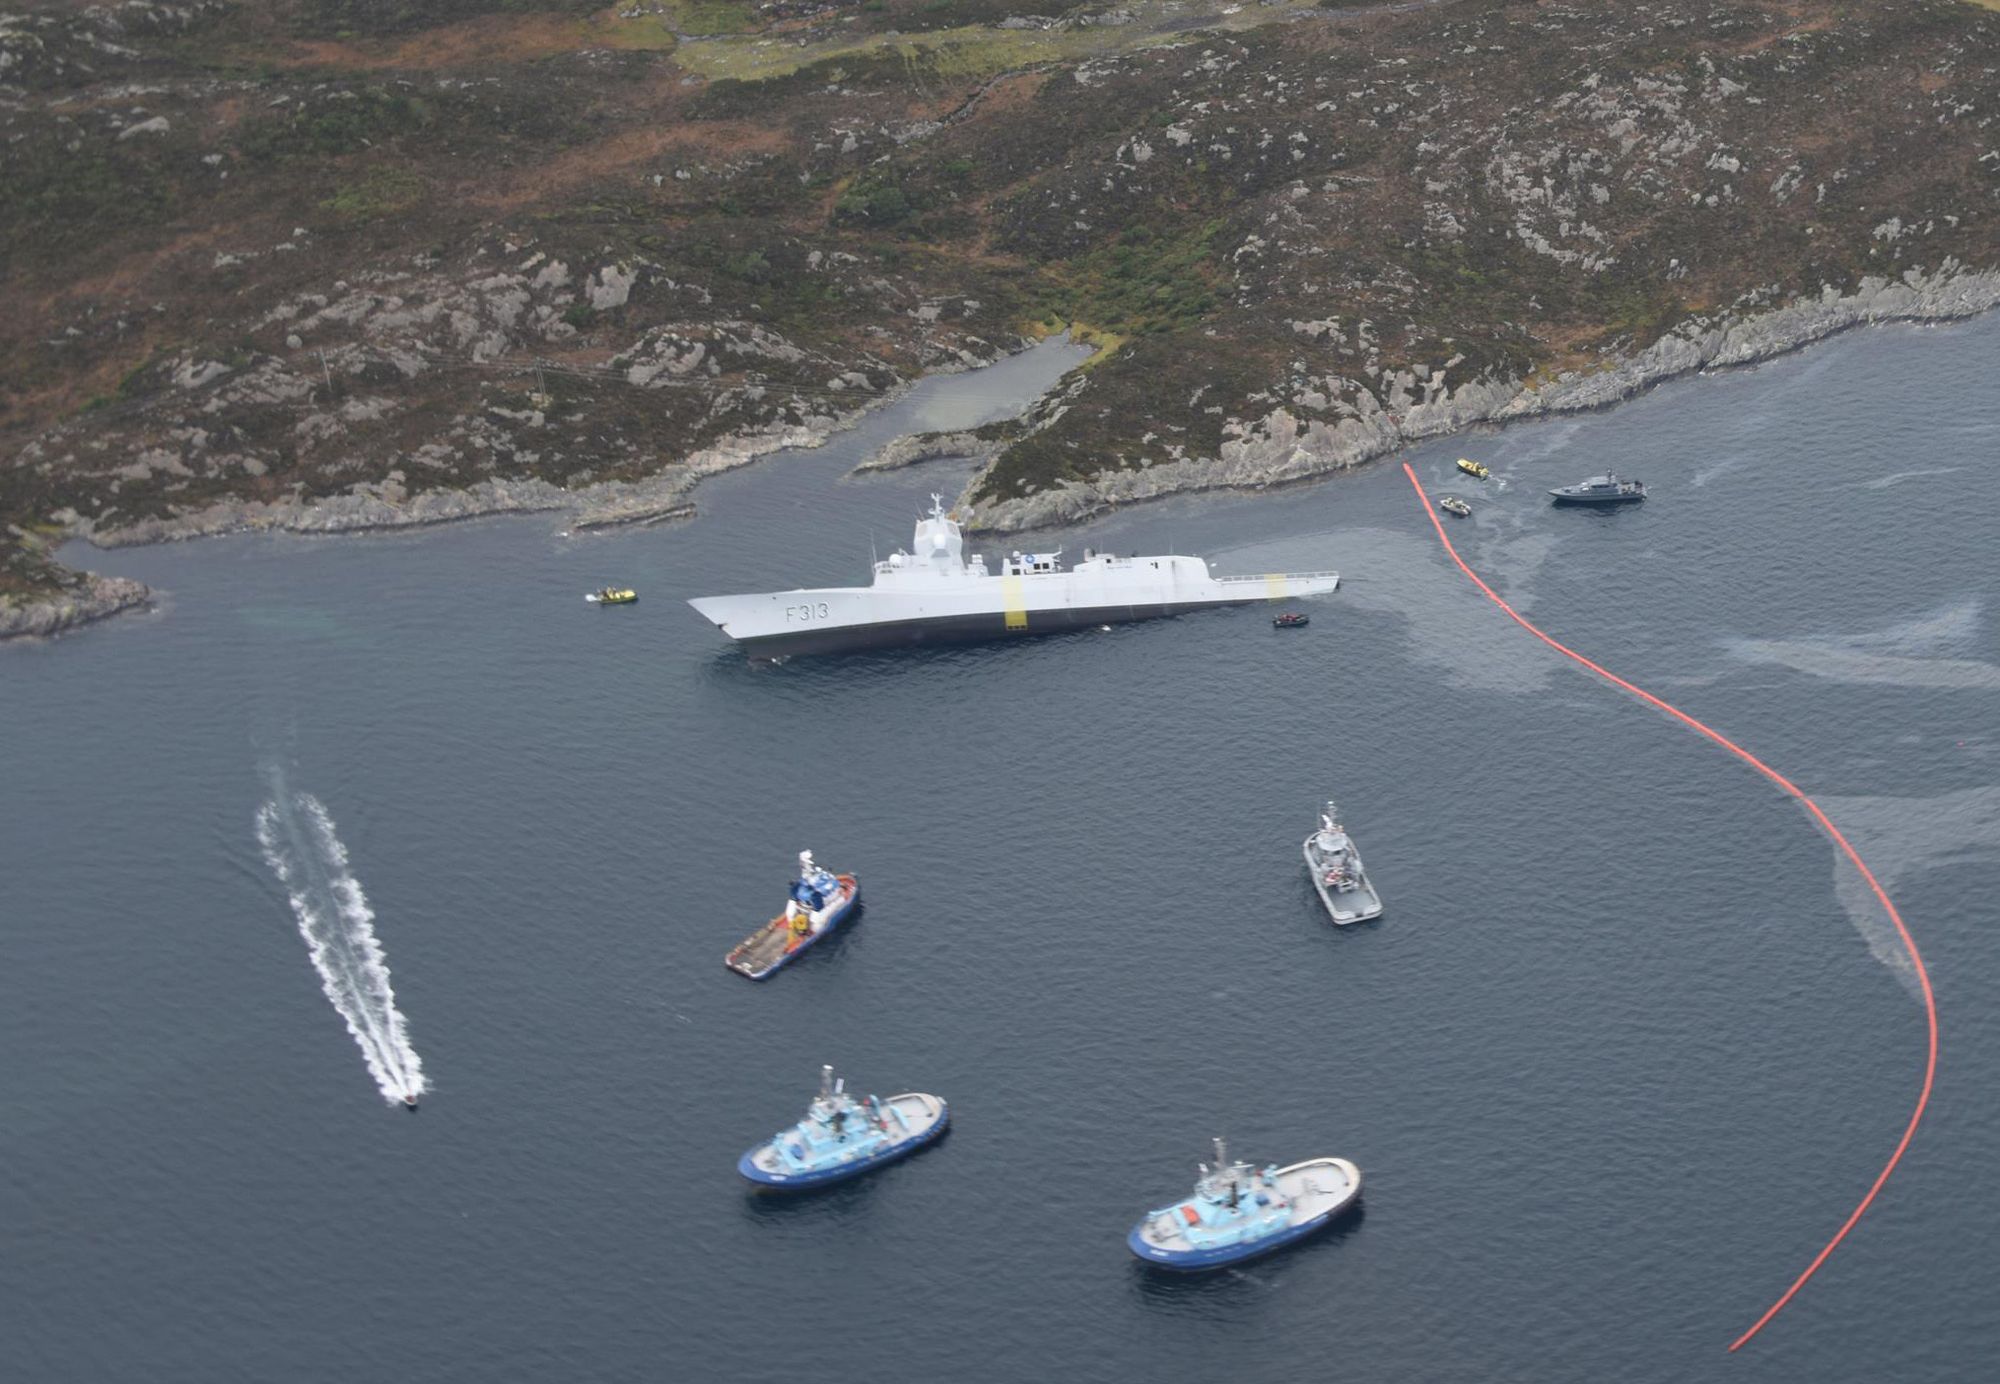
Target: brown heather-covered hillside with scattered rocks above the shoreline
x,y
317,249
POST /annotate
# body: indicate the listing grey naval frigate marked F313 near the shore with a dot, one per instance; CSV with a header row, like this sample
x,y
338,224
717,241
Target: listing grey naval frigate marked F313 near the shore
x,y
937,595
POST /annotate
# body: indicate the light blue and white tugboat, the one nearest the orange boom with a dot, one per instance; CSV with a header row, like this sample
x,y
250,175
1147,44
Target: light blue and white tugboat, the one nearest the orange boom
x,y
1239,1213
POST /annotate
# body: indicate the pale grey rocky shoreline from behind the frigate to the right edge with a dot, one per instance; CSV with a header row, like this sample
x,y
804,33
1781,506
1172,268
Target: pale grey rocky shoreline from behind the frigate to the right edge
x,y
1279,449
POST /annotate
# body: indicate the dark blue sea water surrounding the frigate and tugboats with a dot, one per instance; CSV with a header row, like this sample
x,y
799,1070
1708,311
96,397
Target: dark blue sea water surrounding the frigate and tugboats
x,y
1621,1057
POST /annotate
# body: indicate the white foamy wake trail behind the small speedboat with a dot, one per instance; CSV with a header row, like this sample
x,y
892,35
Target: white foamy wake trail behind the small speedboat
x,y
301,847
